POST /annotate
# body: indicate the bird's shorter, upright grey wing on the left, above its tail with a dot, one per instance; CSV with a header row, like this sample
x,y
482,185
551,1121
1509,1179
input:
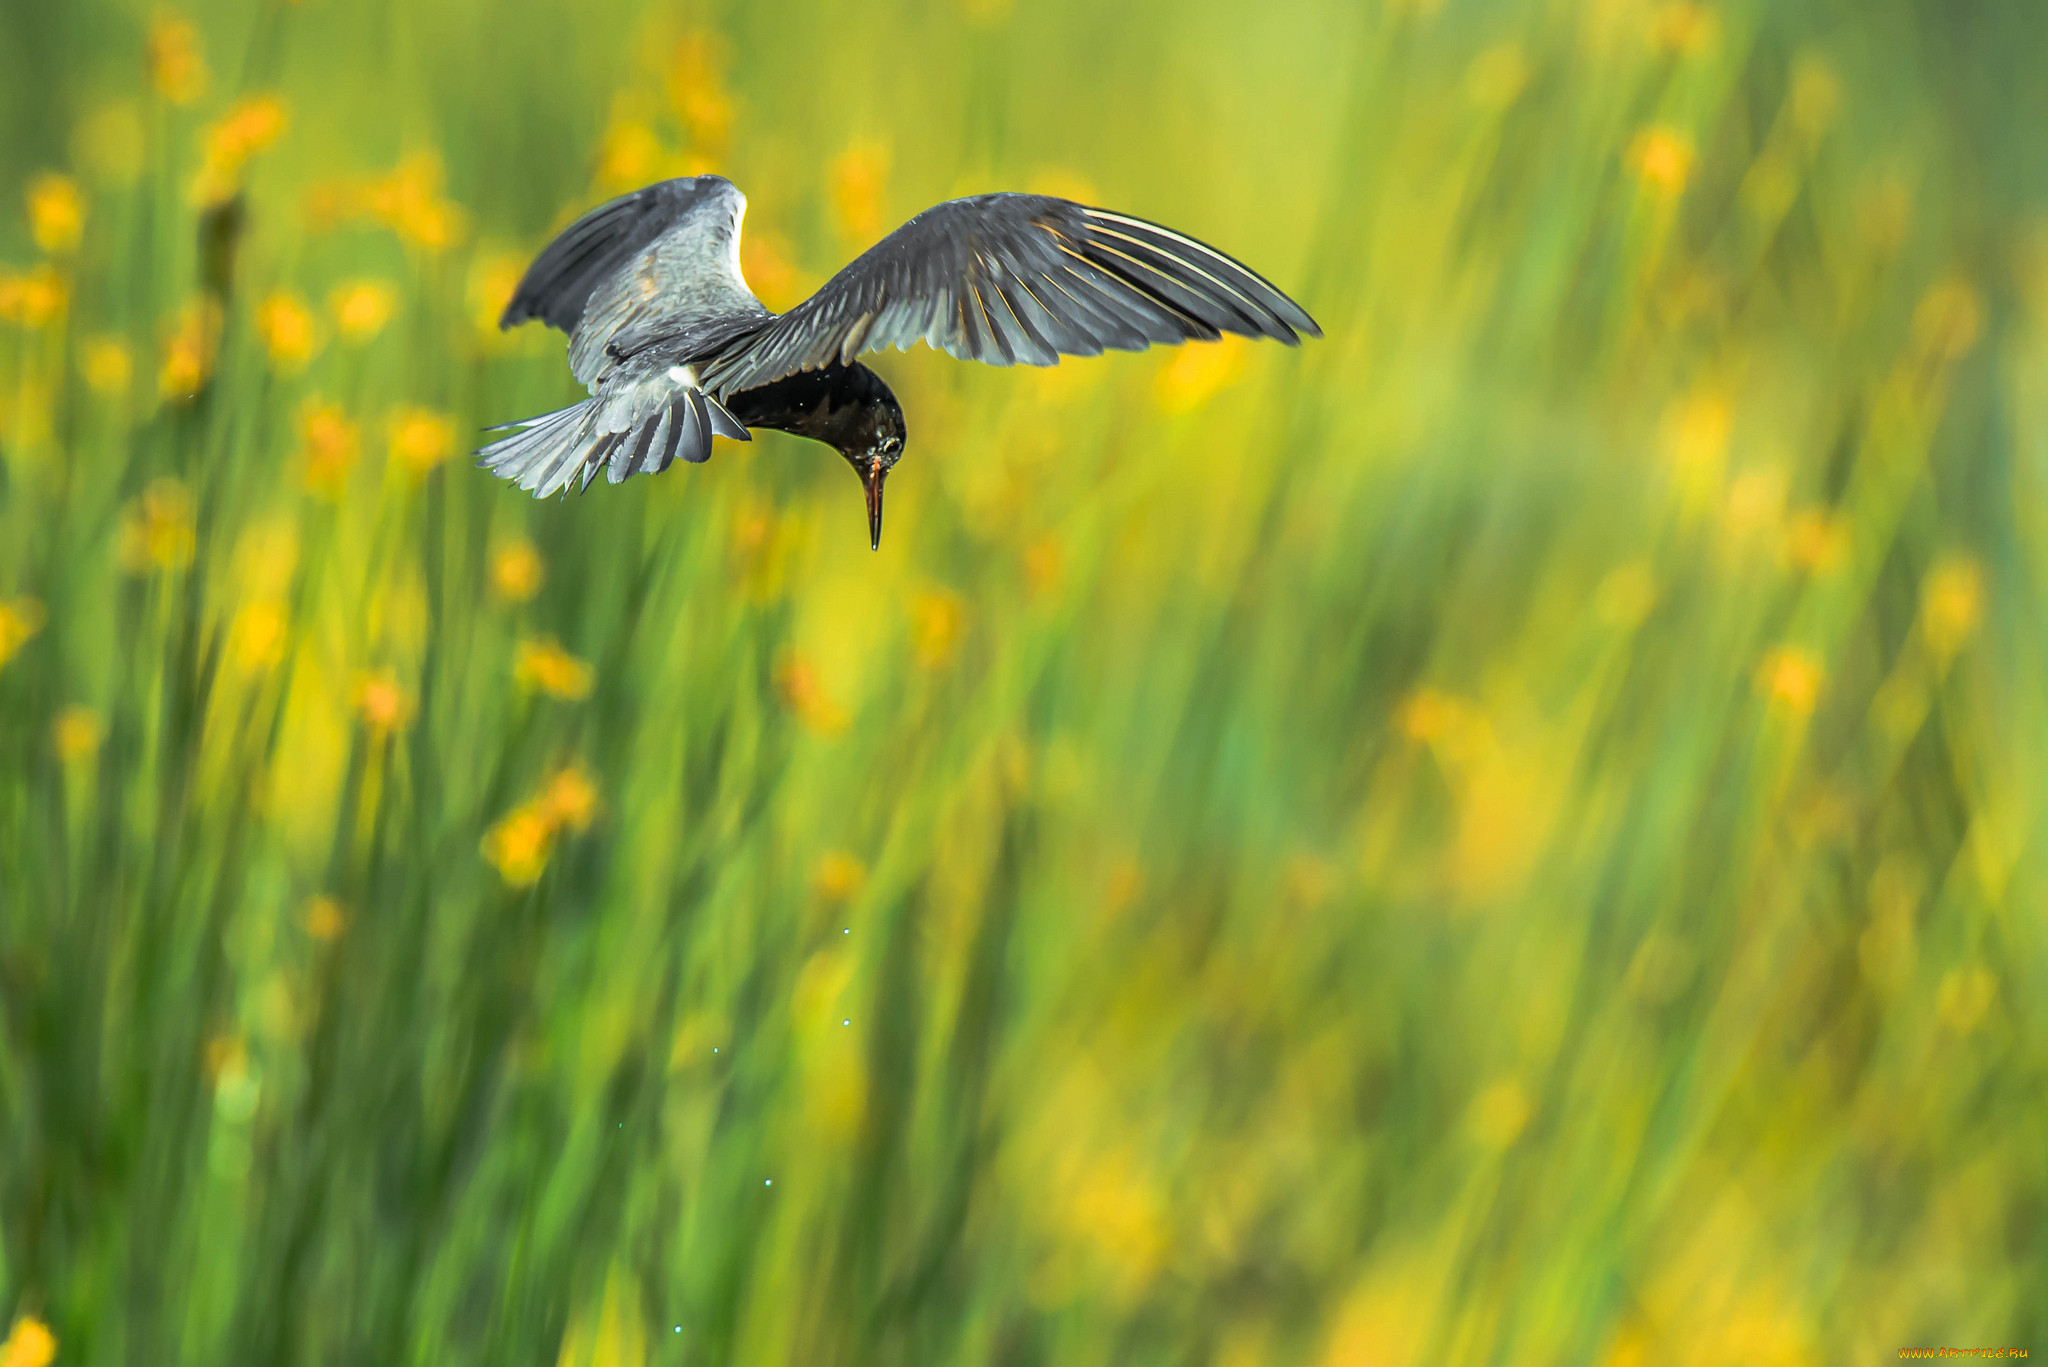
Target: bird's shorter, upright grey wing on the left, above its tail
x,y
650,265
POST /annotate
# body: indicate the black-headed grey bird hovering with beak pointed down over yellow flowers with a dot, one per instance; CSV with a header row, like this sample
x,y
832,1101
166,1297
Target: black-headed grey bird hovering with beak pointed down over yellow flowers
x,y
677,349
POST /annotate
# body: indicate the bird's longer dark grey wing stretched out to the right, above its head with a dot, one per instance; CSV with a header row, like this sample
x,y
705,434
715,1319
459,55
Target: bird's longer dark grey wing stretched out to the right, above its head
x,y
1017,280
